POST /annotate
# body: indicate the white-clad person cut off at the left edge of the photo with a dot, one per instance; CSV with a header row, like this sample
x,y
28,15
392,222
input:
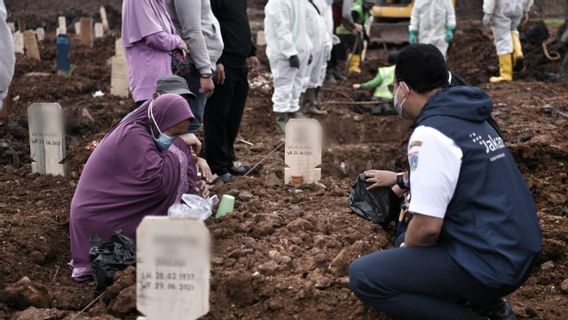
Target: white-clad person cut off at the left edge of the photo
x,y
7,56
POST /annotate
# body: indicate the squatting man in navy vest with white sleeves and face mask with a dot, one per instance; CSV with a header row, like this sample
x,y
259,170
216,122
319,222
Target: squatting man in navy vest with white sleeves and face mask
x,y
474,235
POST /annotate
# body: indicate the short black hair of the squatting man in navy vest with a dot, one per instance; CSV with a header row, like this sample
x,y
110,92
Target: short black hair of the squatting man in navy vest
x,y
422,67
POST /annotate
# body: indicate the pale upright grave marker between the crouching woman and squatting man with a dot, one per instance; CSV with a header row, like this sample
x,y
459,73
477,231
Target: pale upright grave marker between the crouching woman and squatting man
x,y
303,150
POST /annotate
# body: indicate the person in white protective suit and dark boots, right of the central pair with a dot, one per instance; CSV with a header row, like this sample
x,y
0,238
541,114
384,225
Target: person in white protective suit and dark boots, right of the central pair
x,y
319,19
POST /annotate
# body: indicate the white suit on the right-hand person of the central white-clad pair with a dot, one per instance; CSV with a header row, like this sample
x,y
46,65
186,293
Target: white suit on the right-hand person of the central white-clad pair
x,y
319,19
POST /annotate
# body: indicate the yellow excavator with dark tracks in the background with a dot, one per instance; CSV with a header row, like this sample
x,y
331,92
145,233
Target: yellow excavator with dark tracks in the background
x,y
391,19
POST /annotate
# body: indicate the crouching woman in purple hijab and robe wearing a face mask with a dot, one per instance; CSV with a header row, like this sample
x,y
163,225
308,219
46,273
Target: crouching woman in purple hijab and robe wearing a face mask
x,y
140,168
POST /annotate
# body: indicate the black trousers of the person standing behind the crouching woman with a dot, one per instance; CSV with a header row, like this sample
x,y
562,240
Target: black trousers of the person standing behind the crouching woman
x,y
222,119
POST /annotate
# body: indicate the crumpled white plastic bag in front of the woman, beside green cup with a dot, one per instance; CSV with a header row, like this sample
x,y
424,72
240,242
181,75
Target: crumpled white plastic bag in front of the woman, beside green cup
x,y
194,207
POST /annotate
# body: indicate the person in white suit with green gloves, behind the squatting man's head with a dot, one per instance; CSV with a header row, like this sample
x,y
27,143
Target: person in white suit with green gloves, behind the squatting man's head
x,y
433,22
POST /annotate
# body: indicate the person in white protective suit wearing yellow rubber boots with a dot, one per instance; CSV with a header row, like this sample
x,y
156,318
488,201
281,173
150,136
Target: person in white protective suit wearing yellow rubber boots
x,y
504,17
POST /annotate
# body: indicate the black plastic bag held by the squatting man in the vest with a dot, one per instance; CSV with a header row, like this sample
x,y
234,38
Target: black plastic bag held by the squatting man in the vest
x,y
380,205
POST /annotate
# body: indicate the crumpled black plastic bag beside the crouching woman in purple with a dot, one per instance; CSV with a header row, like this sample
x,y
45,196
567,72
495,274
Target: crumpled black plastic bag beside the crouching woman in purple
x,y
108,257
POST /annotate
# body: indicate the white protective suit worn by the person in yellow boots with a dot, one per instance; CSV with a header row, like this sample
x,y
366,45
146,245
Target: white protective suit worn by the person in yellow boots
x,y
506,16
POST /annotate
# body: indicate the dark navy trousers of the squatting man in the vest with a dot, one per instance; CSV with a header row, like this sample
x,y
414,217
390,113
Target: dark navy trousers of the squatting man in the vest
x,y
419,283
